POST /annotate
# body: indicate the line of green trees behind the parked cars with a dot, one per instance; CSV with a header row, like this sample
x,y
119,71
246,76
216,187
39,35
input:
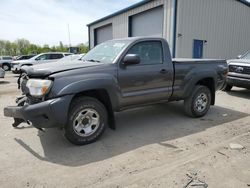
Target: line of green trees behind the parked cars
x,y
24,47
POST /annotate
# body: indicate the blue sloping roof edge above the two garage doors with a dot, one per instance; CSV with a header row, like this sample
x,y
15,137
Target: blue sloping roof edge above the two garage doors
x,y
120,11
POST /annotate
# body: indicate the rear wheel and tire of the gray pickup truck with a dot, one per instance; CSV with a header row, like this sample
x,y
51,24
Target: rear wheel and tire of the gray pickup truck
x,y
198,103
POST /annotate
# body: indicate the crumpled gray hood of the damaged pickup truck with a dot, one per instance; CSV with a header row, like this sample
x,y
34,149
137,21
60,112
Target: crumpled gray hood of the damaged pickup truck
x,y
47,69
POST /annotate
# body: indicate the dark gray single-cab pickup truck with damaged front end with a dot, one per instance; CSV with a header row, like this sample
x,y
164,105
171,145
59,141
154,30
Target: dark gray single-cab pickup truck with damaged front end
x,y
116,75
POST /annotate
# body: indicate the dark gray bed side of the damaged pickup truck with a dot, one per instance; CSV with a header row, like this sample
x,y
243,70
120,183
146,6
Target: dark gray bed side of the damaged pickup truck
x,y
187,71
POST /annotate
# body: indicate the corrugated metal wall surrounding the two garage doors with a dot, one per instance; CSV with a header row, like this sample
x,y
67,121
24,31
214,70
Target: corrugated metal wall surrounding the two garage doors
x,y
120,22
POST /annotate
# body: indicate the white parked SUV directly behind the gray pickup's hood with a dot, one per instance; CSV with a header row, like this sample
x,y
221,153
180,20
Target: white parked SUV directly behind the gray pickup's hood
x,y
38,59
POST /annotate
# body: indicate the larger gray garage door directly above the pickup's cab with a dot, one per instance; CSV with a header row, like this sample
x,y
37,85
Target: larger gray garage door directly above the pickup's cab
x,y
148,23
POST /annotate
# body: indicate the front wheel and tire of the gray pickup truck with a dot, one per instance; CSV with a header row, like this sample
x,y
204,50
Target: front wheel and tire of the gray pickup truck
x,y
87,121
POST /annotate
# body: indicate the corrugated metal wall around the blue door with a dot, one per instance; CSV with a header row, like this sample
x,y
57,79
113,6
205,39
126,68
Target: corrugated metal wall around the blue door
x,y
224,24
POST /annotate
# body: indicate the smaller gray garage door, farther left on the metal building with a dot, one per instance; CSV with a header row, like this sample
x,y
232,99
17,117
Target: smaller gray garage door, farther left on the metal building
x,y
103,34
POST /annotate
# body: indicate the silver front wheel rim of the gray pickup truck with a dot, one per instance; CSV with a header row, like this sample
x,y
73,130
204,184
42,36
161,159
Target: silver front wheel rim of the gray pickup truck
x,y
86,122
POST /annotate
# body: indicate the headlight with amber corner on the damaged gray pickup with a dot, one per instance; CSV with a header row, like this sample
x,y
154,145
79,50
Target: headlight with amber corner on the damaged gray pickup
x,y
38,88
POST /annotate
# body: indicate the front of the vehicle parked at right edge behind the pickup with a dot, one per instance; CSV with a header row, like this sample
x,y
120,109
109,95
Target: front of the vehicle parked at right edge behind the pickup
x,y
239,72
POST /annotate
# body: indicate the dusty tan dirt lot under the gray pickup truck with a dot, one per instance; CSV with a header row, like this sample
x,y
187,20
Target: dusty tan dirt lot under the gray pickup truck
x,y
154,146
